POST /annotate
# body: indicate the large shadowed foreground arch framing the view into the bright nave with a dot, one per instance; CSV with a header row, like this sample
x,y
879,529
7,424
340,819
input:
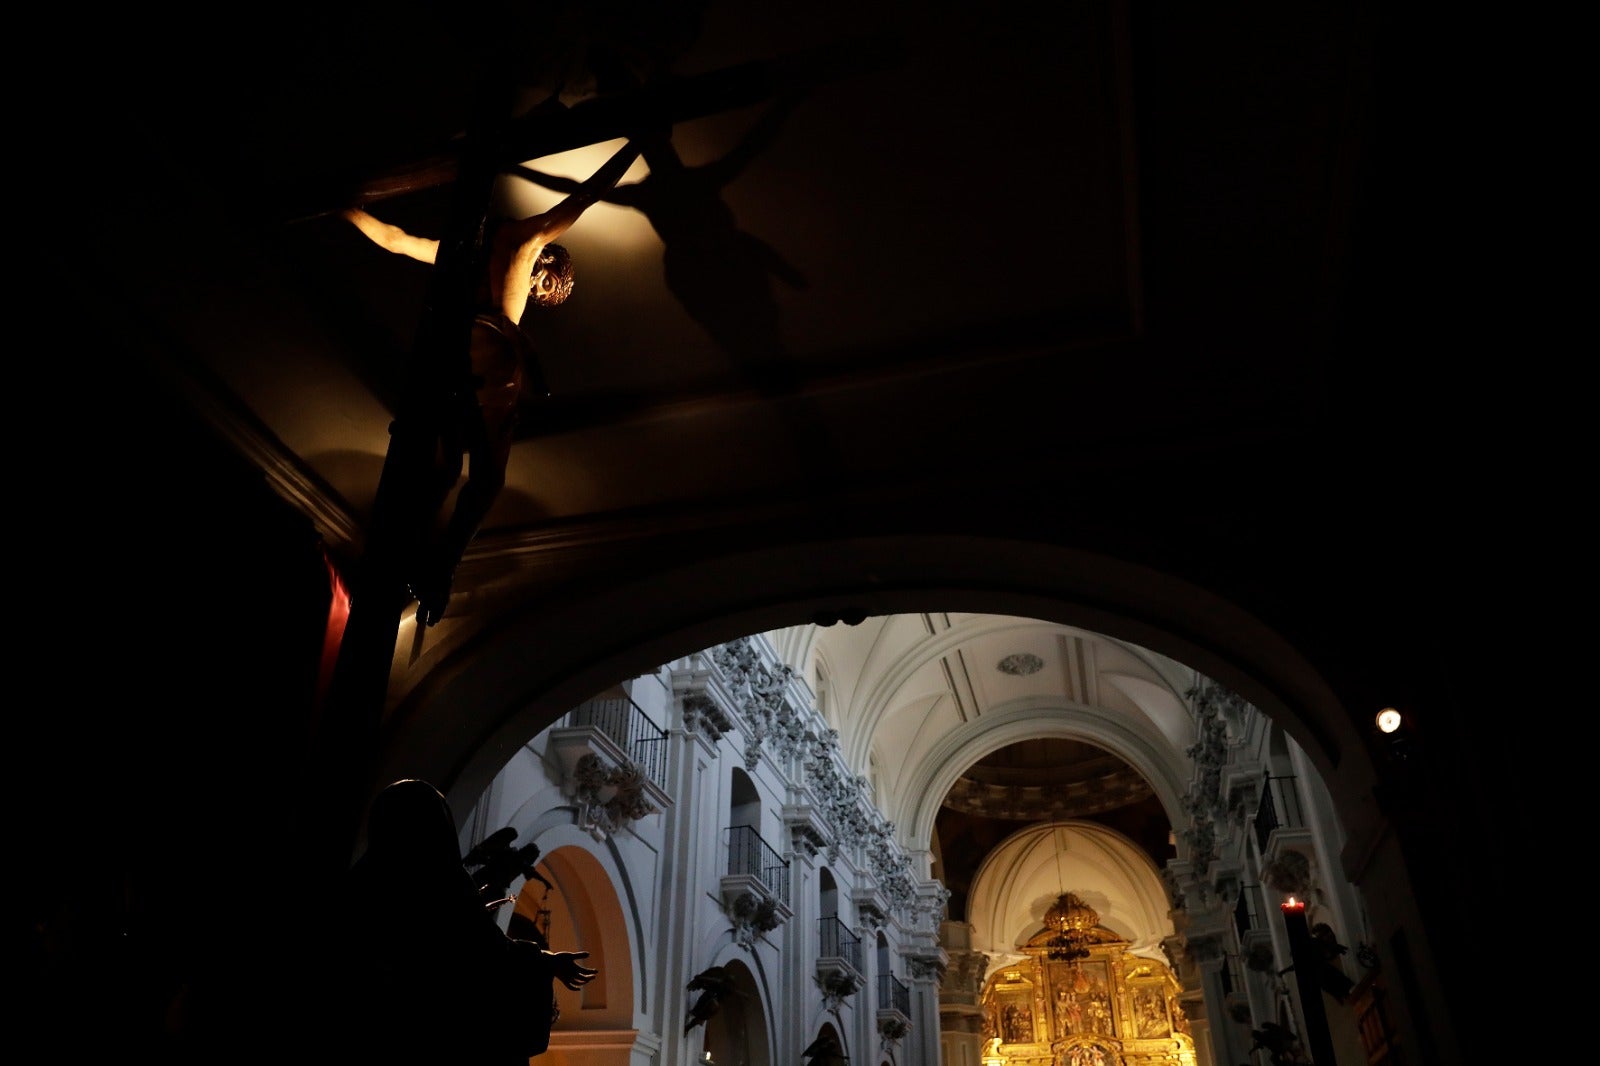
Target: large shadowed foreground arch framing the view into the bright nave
x,y
522,670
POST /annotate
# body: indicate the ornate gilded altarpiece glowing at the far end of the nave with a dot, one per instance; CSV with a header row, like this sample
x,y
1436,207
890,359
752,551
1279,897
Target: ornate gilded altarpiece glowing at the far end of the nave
x,y
1111,1009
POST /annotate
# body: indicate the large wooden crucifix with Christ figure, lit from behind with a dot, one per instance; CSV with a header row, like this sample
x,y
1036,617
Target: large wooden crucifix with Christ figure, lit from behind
x,y
484,275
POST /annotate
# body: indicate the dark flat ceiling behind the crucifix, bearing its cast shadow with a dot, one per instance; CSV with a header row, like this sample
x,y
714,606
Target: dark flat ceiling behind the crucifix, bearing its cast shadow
x,y
1057,242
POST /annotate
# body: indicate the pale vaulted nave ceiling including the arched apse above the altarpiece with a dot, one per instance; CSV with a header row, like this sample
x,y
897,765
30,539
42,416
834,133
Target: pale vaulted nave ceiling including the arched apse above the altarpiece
x,y
1026,758
